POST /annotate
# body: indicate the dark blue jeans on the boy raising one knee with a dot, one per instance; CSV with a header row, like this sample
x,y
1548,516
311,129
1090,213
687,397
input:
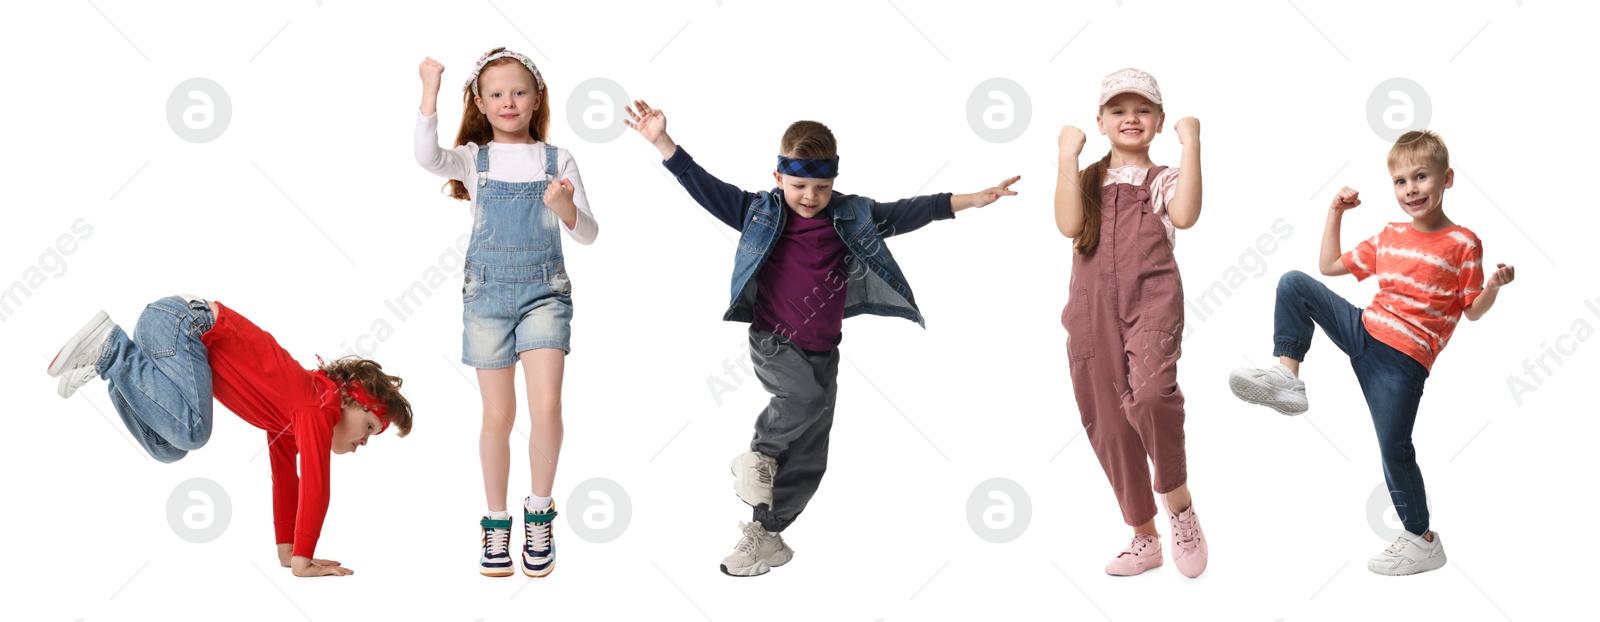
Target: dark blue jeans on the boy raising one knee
x,y
1391,380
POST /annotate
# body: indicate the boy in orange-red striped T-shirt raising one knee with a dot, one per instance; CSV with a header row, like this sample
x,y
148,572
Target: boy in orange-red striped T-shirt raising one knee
x,y
1430,274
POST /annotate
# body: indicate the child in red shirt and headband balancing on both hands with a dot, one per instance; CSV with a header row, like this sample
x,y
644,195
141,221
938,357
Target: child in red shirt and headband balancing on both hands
x,y
186,351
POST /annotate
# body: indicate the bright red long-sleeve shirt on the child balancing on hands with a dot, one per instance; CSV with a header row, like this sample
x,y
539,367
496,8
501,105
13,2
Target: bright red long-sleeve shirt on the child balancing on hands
x,y
257,380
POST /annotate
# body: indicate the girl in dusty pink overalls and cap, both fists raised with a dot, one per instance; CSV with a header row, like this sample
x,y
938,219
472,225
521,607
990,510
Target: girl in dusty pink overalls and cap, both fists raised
x,y
1126,314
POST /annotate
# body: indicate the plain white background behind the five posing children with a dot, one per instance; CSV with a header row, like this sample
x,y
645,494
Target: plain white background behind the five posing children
x,y
308,213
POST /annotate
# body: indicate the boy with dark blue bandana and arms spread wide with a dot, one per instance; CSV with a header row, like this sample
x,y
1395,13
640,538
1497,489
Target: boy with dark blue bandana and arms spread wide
x,y
807,260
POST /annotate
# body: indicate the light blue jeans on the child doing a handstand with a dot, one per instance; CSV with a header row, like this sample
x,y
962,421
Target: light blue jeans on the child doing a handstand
x,y
161,381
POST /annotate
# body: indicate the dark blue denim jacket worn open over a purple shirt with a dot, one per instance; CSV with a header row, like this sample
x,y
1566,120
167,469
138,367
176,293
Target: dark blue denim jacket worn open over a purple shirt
x,y
874,282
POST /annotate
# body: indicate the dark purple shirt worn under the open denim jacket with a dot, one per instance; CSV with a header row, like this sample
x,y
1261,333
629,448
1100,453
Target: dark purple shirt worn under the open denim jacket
x,y
801,290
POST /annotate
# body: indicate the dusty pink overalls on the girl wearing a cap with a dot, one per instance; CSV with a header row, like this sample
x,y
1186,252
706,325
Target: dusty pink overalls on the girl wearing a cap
x,y
1126,322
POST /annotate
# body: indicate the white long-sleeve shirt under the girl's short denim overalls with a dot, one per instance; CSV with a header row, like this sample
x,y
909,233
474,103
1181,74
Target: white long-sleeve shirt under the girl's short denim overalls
x,y
508,162
